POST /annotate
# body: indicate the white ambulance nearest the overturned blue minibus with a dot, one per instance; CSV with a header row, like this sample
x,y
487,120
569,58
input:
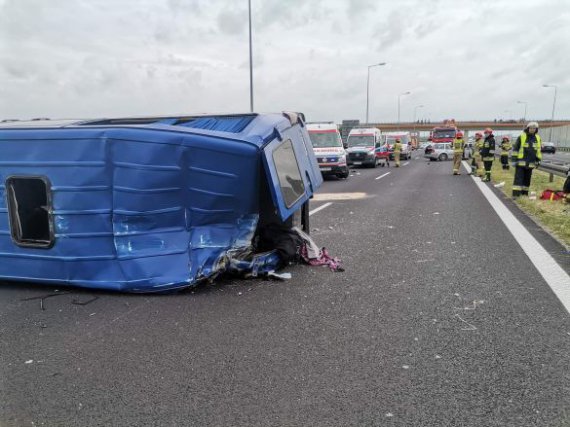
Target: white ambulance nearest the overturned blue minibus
x,y
328,149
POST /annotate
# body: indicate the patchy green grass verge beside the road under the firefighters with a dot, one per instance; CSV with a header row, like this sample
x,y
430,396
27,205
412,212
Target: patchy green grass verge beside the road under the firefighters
x,y
554,216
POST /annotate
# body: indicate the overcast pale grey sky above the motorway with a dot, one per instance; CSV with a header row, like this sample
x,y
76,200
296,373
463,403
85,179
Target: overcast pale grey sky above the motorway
x,y
460,59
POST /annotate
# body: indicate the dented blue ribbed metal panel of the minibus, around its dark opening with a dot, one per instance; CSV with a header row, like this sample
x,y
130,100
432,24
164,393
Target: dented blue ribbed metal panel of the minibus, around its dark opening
x,y
133,210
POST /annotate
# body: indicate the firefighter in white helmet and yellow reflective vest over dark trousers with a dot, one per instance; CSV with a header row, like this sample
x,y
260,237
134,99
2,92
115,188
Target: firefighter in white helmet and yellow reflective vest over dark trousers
x,y
526,157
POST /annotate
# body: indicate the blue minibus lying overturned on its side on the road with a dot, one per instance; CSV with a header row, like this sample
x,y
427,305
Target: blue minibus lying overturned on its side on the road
x,y
146,204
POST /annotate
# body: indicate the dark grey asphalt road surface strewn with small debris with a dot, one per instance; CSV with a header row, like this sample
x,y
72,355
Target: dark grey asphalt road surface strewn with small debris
x,y
440,319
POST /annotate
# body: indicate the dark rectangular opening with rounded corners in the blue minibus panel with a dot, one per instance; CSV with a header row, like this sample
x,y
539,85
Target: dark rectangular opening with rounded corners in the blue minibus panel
x,y
29,204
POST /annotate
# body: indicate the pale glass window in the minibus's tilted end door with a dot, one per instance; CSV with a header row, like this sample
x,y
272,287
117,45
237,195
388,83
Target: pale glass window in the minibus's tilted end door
x,y
290,181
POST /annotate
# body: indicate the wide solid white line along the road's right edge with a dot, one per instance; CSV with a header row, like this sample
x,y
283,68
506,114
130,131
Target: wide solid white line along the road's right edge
x,y
553,274
